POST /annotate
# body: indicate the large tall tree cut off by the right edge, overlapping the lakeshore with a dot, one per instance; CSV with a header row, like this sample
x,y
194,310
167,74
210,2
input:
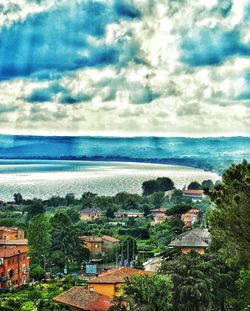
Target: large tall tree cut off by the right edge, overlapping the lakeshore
x,y
229,220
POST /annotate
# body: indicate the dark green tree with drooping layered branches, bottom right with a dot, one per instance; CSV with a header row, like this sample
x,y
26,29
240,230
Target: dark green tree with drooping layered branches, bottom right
x,y
200,281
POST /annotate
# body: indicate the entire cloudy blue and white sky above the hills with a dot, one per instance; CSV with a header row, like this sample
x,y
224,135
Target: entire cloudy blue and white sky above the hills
x,y
125,67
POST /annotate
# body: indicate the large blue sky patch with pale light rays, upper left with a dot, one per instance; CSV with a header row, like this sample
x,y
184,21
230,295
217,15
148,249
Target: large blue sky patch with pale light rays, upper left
x,y
57,40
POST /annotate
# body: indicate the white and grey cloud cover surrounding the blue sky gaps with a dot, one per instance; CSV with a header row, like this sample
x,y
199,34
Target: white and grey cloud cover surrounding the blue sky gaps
x,y
188,100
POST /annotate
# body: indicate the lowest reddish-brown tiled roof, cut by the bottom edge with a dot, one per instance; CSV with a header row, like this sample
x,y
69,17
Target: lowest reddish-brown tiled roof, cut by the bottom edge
x,y
80,298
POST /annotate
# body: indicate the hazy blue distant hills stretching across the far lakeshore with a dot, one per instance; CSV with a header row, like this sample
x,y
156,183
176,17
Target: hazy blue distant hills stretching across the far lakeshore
x,y
210,153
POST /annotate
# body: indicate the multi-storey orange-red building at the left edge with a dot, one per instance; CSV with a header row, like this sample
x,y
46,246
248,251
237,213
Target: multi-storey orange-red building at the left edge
x,y
14,260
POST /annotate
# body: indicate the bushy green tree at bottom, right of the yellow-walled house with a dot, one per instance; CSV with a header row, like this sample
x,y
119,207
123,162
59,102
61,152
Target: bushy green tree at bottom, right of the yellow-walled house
x,y
149,292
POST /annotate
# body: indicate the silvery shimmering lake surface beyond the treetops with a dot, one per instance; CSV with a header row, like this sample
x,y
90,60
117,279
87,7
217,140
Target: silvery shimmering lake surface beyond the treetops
x,y
44,178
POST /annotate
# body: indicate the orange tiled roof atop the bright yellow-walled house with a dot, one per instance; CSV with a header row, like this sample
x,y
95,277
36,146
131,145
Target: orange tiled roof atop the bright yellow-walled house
x,y
116,275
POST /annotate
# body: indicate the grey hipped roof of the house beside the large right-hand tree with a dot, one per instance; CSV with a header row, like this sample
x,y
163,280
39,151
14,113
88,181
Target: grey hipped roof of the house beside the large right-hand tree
x,y
194,238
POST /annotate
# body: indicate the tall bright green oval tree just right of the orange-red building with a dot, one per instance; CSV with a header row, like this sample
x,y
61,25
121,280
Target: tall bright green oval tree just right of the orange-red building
x,y
39,238
